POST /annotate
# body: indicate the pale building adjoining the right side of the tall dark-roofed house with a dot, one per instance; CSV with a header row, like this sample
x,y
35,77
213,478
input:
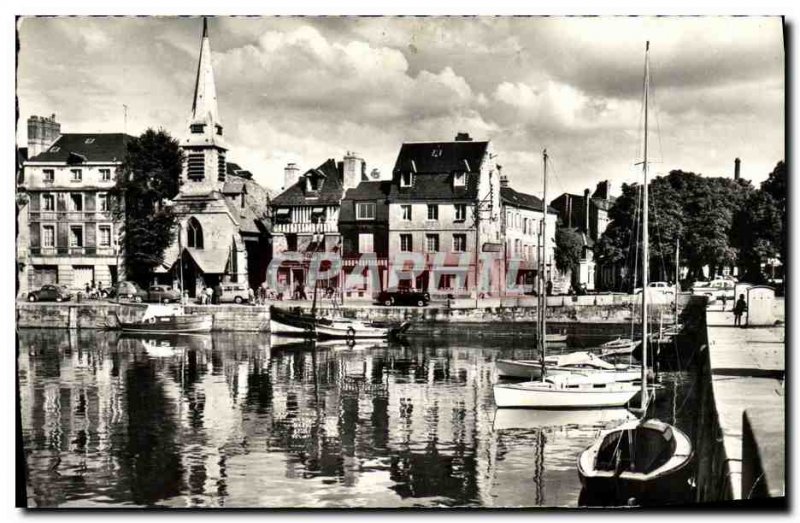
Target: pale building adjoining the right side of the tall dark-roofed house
x,y
522,228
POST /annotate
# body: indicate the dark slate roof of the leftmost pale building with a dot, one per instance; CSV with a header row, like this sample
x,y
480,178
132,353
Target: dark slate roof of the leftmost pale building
x,y
103,147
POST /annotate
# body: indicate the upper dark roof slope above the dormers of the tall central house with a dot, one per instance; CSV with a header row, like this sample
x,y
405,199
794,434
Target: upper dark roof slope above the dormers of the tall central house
x,y
440,157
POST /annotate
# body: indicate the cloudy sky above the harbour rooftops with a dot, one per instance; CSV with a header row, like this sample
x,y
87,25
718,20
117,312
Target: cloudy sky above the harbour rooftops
x,y
307,89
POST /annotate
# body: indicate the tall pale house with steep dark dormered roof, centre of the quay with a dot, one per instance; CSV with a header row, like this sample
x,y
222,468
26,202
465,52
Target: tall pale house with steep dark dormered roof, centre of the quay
x,y
444,204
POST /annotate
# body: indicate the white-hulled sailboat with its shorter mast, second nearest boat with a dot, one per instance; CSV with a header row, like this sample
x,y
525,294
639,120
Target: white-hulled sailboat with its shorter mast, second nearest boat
x,y
560,389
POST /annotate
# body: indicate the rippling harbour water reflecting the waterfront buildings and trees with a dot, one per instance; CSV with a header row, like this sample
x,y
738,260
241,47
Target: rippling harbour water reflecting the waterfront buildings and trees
x,y
238,419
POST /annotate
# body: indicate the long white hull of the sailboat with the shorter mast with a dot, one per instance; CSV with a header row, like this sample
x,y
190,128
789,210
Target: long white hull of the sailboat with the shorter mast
x,y
543,395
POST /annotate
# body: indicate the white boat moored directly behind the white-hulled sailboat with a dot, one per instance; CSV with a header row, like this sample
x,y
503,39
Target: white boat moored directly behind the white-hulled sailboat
x,y
581,362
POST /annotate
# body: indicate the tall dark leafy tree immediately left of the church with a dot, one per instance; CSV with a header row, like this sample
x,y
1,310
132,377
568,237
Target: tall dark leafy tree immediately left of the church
x,y
150,178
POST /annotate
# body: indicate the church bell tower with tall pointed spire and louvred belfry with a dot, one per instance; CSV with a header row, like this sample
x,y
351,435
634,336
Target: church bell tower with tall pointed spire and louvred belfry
x,y
204,167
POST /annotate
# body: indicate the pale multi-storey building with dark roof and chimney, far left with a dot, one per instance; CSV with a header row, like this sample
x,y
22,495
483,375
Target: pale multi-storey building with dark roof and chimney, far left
x,y
72,238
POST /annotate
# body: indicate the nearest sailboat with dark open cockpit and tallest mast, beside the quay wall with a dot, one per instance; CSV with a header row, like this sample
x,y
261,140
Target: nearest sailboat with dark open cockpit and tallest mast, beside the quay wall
x,y
647,460
